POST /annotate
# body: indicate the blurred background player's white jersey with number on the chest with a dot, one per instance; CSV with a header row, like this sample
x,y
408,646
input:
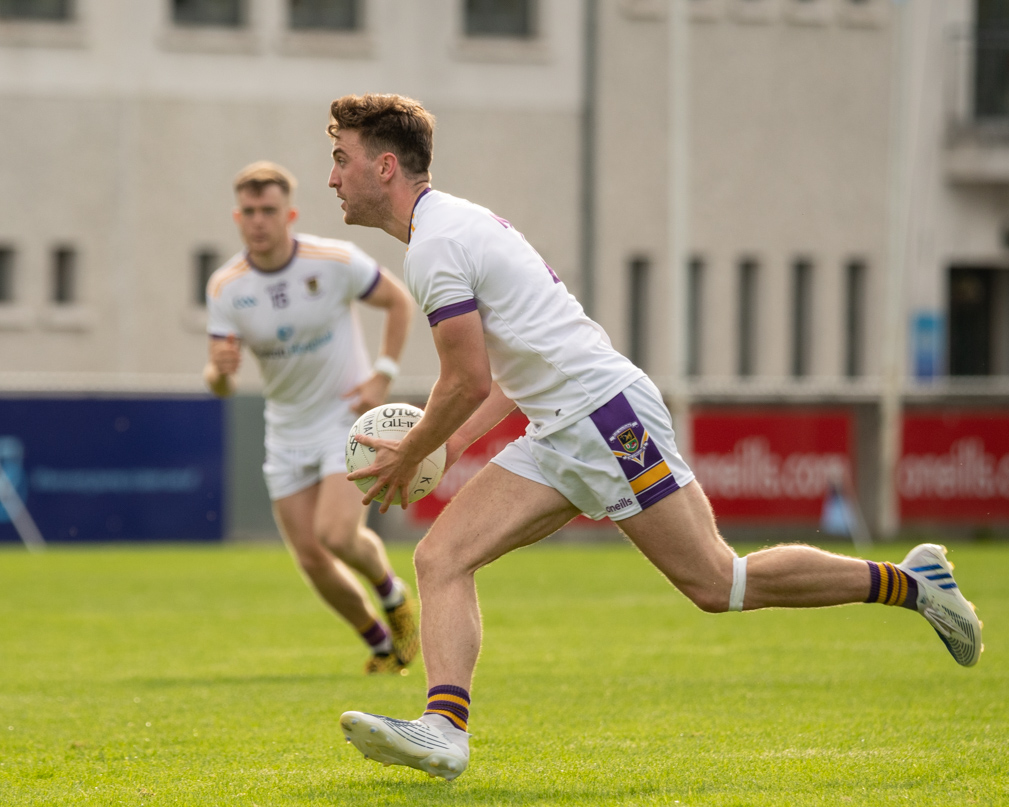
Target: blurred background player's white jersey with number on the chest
x,y
300,324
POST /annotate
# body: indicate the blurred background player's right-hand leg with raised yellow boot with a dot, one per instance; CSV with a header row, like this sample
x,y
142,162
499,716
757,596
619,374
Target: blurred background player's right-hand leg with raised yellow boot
x,y
341,526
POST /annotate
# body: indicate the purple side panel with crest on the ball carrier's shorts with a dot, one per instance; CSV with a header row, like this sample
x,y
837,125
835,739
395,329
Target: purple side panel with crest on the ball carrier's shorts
x,y
636,452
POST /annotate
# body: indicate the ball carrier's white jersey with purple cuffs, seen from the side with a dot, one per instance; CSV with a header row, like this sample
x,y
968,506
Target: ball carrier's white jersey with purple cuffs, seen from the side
x,y
546,355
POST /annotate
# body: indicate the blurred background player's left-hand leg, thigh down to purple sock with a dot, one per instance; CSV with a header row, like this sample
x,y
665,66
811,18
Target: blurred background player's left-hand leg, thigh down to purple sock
x,y
330,578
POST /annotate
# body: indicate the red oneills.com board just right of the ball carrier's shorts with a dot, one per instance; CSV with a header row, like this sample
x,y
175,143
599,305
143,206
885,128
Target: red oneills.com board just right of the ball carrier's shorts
x,y
772,466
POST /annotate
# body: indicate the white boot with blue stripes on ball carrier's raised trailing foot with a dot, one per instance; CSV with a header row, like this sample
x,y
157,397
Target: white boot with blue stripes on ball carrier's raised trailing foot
x,y
943,605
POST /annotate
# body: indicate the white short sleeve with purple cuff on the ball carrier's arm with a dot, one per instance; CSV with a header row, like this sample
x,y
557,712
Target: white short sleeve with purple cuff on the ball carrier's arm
x,y
441,277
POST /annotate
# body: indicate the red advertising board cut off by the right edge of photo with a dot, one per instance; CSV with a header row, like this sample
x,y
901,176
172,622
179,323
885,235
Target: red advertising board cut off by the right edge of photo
x,y
955,467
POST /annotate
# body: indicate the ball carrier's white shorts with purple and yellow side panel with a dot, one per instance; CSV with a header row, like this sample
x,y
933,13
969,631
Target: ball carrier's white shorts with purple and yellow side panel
x,y
615,463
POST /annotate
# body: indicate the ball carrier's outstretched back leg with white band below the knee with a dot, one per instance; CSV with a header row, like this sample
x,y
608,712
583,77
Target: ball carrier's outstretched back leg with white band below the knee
x,y
680,536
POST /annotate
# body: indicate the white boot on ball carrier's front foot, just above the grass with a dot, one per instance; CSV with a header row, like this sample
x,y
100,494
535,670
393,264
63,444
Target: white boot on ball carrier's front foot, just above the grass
x,y
416,744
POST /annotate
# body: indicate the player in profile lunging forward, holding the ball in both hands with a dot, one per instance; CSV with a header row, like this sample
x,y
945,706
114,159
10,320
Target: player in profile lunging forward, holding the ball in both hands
x,y
600,441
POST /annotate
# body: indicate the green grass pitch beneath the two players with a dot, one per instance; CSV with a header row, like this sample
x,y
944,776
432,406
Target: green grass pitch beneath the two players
x,y
212,676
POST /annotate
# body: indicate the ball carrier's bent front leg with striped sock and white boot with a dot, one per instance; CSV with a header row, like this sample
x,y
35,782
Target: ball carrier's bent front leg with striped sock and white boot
x,y
495,514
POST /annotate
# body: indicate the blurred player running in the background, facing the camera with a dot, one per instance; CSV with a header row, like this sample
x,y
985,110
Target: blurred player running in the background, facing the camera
x,y
290,299
